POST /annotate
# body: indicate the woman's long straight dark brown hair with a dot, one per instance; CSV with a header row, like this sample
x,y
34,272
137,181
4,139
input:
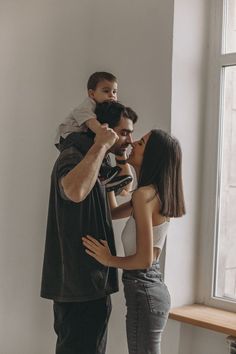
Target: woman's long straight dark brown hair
x,y
162,167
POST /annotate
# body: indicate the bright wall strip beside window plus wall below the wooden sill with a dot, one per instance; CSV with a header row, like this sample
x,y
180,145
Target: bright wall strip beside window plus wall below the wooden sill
x,y
188,121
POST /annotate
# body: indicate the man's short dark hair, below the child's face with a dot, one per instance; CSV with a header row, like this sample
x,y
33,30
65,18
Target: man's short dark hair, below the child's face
x,y
110,112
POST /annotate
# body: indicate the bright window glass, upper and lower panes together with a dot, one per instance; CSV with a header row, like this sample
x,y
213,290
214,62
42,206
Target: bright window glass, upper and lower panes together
x,y
225,250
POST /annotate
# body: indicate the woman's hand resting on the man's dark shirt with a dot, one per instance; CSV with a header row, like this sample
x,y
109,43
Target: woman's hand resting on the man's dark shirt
x,y
98,250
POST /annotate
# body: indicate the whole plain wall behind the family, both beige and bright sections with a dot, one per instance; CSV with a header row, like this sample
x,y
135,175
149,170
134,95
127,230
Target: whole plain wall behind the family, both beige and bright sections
x,y
158,50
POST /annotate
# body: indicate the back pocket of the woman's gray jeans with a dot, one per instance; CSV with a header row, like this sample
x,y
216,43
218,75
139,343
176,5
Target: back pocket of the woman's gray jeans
x,y
158,298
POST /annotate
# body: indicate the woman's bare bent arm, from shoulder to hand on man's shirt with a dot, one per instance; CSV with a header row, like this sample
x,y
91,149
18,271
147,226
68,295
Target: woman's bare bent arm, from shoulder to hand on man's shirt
x,y
143,257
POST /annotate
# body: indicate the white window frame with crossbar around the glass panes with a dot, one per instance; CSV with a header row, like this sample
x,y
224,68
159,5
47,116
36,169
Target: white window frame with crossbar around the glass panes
x,y
212,159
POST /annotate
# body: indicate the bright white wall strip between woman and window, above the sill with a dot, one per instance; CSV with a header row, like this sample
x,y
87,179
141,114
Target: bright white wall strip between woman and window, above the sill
x,y
188,110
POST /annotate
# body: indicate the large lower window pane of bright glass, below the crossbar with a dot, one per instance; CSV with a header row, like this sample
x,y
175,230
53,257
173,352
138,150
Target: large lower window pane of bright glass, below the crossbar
x,y
225,275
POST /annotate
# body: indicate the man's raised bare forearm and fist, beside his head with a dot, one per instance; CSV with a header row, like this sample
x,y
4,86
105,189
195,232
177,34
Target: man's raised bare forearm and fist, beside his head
x,y
78,183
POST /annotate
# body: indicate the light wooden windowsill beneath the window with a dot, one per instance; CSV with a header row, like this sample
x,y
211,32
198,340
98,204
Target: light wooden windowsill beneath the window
x,y
206,317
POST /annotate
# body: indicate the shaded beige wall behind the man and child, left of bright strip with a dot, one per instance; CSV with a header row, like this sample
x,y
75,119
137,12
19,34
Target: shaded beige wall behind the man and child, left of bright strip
x,y
48,50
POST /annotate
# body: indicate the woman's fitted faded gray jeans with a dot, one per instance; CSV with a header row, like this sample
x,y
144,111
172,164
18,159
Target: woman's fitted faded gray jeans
x,y
148,305
